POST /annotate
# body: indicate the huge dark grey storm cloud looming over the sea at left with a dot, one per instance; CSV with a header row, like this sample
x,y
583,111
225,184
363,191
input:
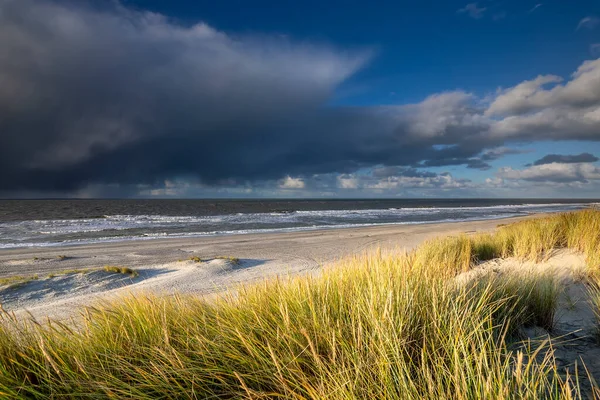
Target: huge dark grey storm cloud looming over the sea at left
x,y
101,96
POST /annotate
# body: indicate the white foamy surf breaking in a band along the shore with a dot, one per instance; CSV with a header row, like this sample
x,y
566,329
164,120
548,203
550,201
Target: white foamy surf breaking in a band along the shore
x,y
135,227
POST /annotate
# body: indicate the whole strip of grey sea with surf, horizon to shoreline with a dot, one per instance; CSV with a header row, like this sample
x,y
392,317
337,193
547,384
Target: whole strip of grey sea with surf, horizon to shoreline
x,y
30,223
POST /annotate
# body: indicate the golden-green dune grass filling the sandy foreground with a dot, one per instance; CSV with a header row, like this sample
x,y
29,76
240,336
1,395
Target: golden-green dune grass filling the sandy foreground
x,y
372,326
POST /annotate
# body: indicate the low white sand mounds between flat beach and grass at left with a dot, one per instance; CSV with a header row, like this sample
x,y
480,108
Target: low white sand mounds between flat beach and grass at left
x,y
59,296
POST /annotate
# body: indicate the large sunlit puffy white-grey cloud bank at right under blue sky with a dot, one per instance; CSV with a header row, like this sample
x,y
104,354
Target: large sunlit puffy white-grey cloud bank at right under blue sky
x,y
544,108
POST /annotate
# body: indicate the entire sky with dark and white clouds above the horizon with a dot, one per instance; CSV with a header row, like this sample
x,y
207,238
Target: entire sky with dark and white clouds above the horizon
x,y
190,98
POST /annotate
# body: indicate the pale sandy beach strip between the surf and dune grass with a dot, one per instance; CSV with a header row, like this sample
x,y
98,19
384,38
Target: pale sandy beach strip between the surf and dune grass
x,y
194,265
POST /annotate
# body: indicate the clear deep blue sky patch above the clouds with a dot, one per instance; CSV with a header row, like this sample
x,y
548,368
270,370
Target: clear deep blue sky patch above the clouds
x,y
421,47
